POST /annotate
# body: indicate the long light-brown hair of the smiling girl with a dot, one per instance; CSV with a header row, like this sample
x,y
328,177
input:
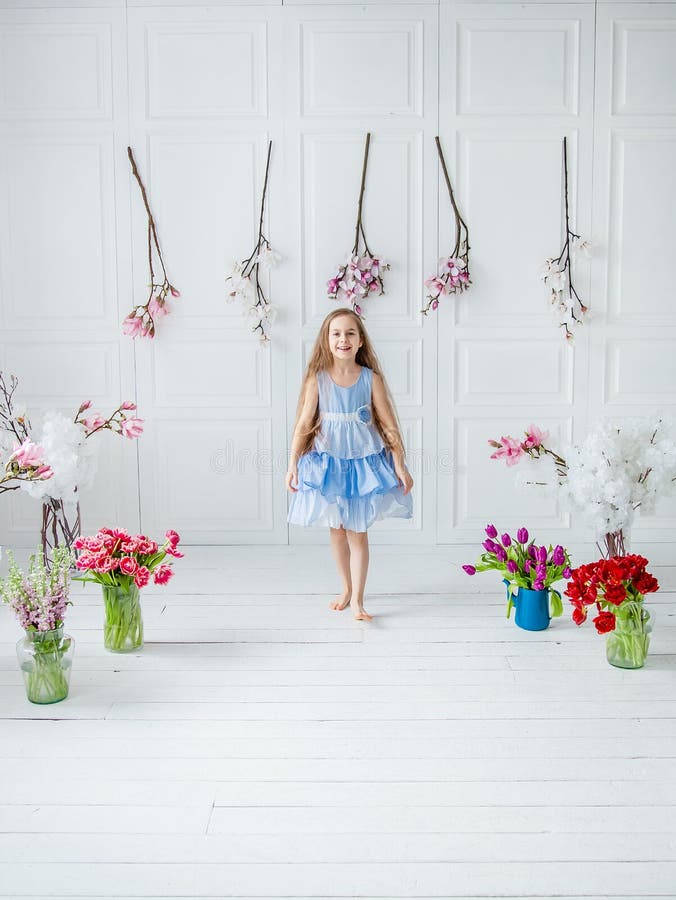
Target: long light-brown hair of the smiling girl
x,y
321,360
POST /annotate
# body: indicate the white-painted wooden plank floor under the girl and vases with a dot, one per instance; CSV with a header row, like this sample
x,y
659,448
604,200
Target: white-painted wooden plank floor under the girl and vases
x,y
261,745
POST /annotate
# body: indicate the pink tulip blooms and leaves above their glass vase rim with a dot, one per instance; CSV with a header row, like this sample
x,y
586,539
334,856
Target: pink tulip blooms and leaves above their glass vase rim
x,y
114,557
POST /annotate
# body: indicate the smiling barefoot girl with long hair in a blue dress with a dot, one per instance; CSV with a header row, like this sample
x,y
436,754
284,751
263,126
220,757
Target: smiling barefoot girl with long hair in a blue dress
x,y
347,457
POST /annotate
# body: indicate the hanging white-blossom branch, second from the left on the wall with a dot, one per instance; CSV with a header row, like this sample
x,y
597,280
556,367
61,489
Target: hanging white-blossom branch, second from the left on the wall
x,y
245,276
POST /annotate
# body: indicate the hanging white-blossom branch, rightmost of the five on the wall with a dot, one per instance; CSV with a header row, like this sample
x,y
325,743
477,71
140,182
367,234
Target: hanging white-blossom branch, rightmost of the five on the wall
x,y
557,272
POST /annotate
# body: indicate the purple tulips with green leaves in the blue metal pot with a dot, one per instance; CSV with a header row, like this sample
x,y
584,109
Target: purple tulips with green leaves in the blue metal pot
x,y
523,564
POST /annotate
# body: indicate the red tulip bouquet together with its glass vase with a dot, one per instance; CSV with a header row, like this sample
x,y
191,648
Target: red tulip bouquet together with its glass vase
x,y
616,588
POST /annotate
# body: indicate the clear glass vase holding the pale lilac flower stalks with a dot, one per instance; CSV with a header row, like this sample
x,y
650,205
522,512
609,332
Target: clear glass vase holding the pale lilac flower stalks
x,y
45,658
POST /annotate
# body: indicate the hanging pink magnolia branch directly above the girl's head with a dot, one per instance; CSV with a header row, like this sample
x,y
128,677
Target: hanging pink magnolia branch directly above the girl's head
x,y
361,276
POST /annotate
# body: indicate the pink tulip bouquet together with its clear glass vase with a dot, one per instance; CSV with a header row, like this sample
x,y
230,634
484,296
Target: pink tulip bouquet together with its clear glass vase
x,y
122,564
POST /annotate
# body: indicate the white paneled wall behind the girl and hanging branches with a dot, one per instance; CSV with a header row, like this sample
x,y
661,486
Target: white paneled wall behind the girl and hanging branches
x,y
197,91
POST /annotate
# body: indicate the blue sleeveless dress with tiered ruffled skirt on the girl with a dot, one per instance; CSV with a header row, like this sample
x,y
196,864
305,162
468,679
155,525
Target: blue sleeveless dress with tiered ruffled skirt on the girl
x,y
348,477
